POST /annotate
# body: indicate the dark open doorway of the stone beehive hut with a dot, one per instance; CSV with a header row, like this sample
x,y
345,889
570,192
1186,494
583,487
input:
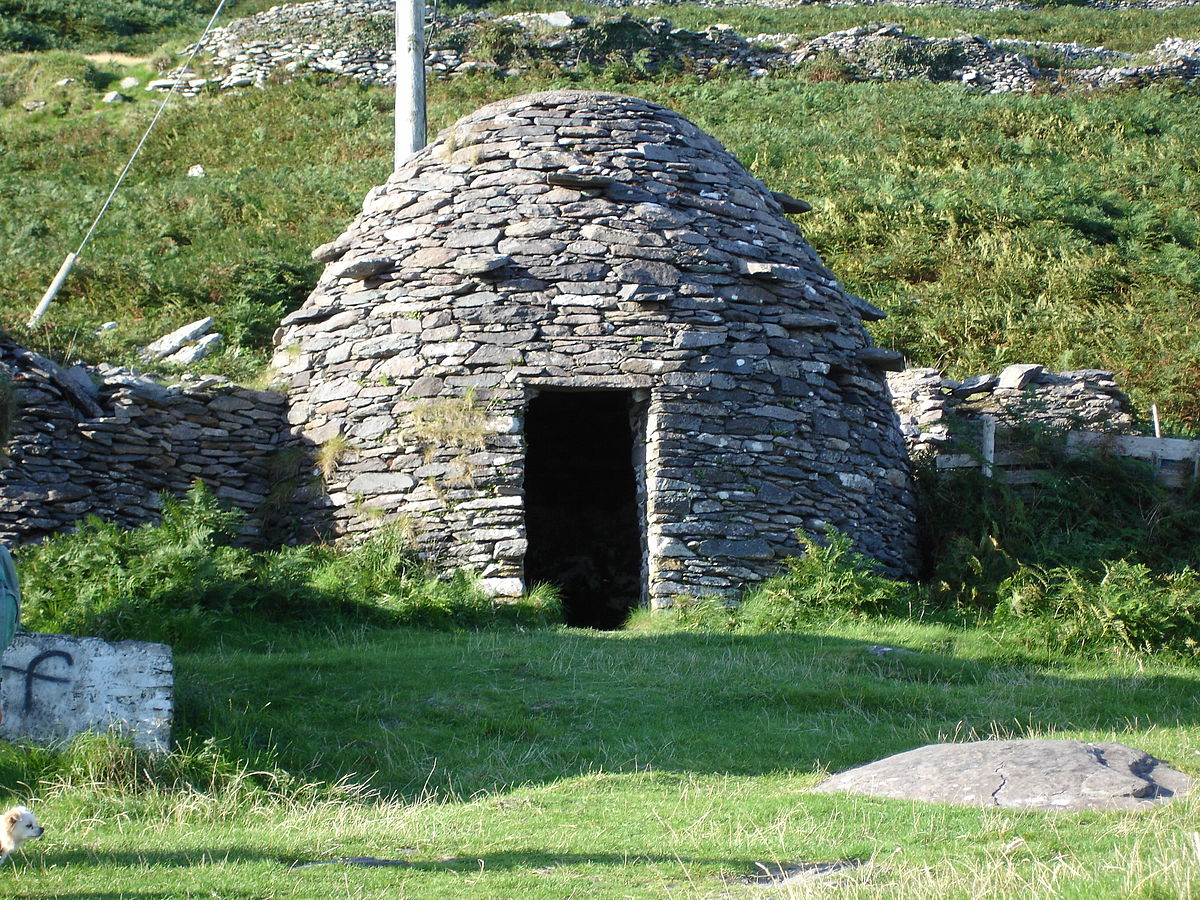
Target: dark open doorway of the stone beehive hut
x,y
581,503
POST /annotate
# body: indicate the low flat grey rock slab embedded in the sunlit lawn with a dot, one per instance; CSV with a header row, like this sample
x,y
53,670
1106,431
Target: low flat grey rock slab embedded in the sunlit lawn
x,y
1019,775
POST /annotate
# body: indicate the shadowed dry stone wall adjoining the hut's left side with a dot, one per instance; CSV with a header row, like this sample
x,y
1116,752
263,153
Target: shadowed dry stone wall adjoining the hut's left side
x,y
106,443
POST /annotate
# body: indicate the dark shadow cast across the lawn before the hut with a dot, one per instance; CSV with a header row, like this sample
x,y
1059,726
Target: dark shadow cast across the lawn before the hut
x,y
455,715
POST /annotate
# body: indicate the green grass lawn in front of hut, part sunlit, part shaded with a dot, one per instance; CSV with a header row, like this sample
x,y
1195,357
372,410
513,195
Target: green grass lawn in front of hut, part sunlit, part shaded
x,y
557,764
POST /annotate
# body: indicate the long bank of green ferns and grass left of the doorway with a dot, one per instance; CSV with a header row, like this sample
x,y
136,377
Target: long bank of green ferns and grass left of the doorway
x,y
185,583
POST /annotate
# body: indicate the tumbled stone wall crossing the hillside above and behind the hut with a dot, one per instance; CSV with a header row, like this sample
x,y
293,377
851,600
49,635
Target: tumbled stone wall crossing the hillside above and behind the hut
x,y
356,40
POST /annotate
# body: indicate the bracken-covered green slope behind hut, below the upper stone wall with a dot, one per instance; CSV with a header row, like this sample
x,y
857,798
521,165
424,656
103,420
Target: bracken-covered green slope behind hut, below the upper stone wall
x,y
1059,230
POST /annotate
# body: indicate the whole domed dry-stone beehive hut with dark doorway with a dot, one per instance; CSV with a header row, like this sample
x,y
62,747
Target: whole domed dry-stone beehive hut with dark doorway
x,y
575,341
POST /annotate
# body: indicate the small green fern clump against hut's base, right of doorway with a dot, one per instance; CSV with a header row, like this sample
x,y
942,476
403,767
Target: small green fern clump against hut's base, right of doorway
x,y
830,583
